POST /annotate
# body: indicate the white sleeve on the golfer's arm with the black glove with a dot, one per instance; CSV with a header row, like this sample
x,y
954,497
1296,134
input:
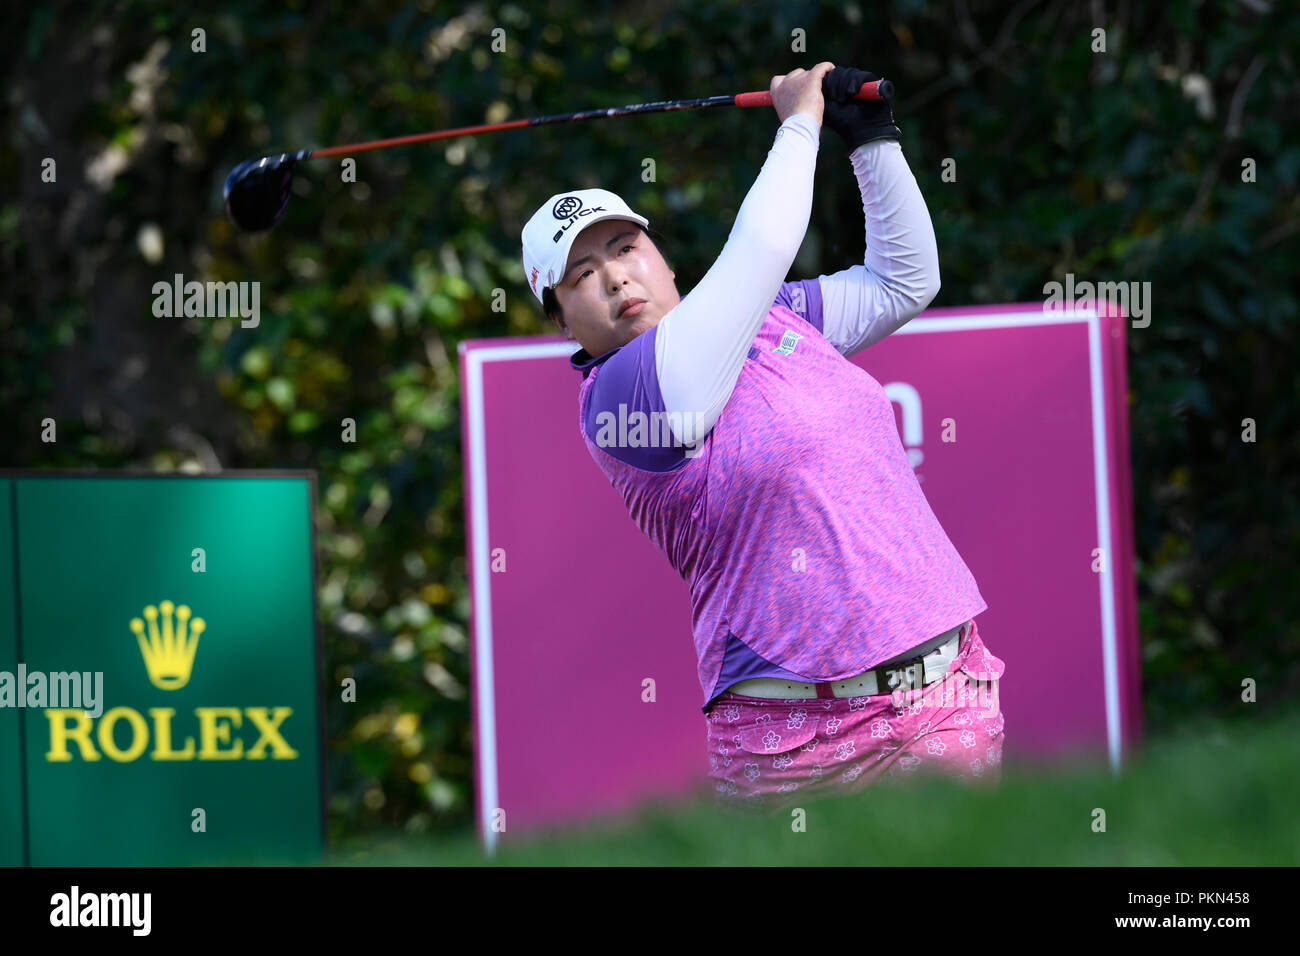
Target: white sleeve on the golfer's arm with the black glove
x,y
900,272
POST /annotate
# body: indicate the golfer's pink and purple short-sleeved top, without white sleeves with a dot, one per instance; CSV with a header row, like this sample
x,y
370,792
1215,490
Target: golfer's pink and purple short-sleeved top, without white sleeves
x,y
800,527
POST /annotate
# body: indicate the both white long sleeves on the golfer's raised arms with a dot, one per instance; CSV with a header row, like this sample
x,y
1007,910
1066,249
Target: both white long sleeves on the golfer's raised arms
x,y
703,344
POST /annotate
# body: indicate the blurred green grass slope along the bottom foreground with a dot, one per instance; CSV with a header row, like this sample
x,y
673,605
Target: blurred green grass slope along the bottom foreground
x,y
1217,794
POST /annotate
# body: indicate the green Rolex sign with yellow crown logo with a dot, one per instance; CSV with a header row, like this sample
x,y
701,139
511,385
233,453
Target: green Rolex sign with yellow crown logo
x,y
161,695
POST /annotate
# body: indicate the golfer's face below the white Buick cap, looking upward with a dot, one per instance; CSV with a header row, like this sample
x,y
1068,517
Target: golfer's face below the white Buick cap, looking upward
x,y
610,265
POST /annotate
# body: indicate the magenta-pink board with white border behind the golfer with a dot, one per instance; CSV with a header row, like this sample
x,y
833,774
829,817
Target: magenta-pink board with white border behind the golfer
x,y
574,608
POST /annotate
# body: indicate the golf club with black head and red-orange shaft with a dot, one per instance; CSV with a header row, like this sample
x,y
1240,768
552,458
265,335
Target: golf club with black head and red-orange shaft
x,y
257,192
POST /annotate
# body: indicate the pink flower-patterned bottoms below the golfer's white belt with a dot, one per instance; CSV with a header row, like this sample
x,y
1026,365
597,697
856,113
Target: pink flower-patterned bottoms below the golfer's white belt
x,y
770,754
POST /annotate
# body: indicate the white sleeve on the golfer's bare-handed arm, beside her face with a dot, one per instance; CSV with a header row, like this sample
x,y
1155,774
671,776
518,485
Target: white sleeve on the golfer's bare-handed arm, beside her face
x,y
703,344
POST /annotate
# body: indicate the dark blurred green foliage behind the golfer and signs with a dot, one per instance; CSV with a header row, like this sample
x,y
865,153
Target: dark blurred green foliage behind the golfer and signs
x,y
1125,166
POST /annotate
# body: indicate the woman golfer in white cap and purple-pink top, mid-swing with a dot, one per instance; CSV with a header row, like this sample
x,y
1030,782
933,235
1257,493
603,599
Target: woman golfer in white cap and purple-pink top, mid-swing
x,y
834,620
